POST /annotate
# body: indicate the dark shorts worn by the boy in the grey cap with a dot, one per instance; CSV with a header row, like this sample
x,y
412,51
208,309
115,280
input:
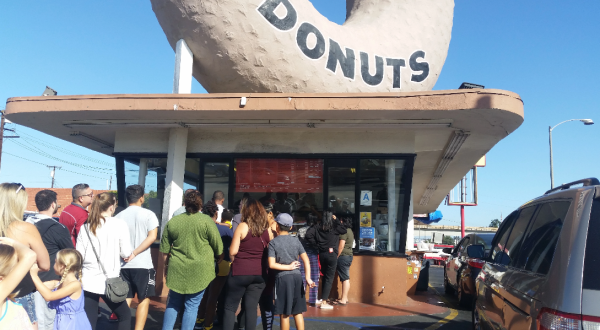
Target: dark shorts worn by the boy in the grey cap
x,y
289,295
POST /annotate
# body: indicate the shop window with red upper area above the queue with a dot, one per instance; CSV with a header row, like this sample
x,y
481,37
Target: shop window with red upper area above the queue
x,y
294,185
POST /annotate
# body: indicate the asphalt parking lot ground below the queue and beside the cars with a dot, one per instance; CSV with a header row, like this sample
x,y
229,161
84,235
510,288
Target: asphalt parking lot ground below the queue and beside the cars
x,y
431,310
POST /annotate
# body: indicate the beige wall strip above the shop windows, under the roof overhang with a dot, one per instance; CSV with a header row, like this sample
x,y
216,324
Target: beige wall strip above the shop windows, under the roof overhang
x,y
273,140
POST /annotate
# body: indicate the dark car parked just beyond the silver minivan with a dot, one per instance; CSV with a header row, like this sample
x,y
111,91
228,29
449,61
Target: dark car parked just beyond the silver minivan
x,y
464,264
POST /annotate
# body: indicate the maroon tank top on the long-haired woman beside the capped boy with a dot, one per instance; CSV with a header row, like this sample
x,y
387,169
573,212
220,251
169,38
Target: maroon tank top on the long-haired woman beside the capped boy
x,y
250,259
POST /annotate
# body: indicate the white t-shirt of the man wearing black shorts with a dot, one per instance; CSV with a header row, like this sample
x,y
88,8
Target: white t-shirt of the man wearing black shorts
x,y
140,222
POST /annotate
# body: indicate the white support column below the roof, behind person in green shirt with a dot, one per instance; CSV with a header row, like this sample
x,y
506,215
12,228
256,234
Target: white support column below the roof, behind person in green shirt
x,y
175,170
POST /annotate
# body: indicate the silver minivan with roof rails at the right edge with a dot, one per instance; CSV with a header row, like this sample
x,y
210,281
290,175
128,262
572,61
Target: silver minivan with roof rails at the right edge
x,y
543,269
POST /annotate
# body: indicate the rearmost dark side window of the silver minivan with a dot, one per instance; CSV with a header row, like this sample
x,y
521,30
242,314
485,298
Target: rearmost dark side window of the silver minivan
x,y
539,245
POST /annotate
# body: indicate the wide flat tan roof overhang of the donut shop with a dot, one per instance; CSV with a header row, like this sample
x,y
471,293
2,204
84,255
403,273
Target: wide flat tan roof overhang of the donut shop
x,y
452,129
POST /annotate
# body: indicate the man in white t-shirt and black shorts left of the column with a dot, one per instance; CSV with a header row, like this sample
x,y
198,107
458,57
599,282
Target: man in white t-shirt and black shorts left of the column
x,y
139,271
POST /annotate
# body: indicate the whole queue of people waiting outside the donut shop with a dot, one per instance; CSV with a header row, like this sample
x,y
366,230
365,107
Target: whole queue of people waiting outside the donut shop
x,y
53,273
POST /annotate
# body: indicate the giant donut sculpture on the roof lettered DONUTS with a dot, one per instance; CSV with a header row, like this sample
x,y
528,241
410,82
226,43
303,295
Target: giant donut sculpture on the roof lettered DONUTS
x,y
288,46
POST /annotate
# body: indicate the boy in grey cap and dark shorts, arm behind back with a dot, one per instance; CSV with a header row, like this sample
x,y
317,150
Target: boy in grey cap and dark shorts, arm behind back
x,y
284,252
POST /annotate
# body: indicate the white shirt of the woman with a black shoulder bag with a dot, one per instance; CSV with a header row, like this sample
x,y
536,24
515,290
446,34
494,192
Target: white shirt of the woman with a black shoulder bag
x,y
112,243
